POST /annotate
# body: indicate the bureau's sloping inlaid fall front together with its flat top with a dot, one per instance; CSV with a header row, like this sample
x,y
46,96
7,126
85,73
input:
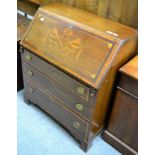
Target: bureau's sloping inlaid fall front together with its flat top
x,y
80,43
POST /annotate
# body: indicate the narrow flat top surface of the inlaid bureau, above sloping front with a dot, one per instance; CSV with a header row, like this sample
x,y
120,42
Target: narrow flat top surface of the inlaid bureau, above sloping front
x,y
97,22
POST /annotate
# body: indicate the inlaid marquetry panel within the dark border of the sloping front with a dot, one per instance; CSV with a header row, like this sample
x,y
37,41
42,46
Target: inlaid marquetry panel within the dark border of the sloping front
x,y
68,46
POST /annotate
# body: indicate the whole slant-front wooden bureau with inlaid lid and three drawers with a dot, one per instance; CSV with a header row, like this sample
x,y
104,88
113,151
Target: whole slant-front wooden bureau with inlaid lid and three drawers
x,y
69,59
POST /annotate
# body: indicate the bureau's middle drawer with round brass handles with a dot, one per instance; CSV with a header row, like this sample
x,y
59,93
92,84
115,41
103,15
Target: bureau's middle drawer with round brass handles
x,y
76,105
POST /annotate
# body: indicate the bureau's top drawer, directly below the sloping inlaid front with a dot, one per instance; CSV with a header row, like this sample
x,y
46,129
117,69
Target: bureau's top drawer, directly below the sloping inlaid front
x,y
52,72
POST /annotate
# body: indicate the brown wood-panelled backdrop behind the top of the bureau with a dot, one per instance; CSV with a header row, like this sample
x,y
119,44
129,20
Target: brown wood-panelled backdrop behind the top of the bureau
x,y
123,11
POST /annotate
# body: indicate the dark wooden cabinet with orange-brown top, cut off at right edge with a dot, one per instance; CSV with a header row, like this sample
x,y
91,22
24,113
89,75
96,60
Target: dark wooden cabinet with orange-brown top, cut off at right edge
x,y
122,129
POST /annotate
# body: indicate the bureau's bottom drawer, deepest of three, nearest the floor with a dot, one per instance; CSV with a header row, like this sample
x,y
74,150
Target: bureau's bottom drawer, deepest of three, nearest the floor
x,y
54,108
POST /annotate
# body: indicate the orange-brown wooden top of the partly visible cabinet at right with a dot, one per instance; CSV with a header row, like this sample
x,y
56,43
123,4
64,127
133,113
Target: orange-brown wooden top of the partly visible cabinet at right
x,y
131,68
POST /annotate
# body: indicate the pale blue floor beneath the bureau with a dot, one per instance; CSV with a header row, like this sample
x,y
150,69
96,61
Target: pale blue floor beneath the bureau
x,y
38,134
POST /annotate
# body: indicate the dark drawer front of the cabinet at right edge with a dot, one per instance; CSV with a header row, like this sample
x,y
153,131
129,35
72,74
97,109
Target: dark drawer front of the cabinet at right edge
x,y
128,84
